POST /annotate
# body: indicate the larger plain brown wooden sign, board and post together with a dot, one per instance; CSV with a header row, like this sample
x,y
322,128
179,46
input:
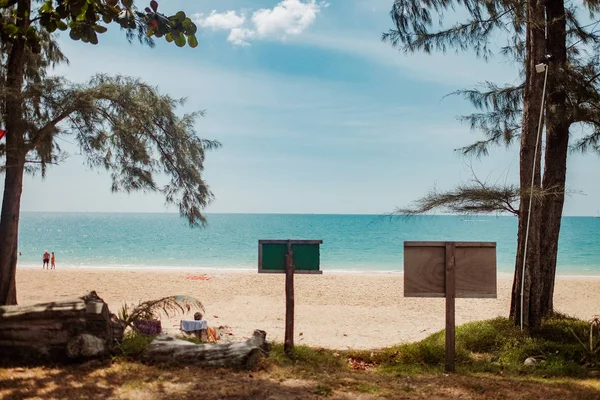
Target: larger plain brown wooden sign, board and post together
x,y
451,270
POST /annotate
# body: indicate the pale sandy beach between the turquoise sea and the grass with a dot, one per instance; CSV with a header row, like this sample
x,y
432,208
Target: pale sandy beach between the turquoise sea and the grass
x,y
338,311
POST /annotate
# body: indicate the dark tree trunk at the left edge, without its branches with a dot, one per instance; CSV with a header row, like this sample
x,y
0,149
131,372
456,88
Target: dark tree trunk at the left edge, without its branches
x,y
15,161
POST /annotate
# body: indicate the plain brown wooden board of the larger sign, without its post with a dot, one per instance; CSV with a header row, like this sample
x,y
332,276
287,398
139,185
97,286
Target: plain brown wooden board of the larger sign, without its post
x,y
475,269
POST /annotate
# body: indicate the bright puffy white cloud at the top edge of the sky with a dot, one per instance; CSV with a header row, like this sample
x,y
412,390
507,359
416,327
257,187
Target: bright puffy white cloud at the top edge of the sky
x,y
287,18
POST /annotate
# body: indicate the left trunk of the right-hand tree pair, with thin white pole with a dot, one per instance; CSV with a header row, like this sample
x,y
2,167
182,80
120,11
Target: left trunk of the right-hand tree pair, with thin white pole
x,y
531,109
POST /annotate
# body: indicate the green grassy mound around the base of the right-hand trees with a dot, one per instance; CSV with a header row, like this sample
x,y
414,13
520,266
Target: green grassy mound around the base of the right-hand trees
x,y
493,346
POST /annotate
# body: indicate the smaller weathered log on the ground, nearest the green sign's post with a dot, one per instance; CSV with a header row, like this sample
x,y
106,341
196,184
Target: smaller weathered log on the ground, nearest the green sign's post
x,y
238,355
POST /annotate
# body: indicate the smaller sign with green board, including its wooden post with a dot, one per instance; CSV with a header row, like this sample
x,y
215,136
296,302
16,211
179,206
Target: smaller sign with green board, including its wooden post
x,y
289,257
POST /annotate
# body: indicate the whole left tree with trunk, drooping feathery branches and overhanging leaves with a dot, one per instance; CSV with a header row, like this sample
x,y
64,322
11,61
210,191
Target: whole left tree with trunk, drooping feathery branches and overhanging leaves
x,y
121,124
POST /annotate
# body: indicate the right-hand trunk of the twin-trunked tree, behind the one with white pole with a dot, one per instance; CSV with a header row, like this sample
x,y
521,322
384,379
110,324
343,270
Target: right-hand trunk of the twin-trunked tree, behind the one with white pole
x,y
557,146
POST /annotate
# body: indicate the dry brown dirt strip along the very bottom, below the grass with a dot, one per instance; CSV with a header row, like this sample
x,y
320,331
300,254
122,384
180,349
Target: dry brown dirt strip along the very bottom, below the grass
x,y
131,380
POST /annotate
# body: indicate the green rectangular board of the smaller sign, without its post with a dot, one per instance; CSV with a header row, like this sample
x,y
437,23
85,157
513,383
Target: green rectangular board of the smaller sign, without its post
x,y
306,256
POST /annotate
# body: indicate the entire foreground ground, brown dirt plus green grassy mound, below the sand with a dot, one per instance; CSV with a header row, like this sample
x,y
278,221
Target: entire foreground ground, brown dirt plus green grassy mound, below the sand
x,y
490,364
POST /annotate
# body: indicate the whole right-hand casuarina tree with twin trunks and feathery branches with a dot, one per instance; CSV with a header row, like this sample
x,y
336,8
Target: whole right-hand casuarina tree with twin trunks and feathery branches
x,y
564,37
